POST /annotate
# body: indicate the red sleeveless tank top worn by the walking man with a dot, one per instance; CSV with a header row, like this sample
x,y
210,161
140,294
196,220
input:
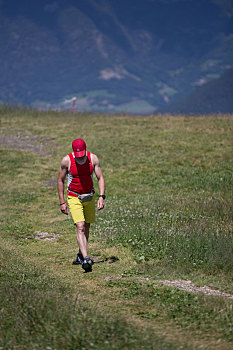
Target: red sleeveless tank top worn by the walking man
x,y
80,177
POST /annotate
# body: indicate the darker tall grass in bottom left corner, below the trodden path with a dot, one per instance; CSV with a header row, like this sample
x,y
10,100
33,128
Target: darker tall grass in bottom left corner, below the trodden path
x,y
40,313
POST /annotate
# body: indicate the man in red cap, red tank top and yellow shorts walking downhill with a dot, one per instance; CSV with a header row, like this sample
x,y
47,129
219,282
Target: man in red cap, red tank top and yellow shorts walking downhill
x,y
79,166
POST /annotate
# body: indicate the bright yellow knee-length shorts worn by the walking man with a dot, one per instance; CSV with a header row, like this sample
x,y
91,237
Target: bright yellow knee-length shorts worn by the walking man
x,y
81,211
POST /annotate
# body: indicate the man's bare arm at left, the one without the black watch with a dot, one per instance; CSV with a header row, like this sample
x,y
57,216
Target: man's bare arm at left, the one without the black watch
x,y
60,183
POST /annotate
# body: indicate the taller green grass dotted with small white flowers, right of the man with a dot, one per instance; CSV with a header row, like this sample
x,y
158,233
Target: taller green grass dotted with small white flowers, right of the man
x,y
174,232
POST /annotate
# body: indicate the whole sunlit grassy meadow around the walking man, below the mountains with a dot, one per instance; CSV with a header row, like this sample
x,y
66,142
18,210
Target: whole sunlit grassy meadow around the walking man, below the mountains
x,y
167,216
